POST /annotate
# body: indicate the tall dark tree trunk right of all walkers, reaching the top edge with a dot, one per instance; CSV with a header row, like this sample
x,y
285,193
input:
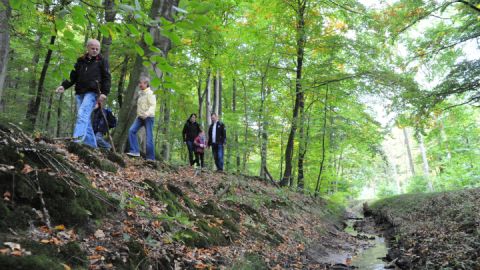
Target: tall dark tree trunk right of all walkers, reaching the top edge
x,y
299,96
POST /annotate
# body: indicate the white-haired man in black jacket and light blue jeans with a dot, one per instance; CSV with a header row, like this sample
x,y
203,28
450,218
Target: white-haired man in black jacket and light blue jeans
x,y
92,79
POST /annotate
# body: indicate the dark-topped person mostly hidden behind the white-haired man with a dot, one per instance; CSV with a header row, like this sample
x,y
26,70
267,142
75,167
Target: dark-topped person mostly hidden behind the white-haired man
x,y
101,127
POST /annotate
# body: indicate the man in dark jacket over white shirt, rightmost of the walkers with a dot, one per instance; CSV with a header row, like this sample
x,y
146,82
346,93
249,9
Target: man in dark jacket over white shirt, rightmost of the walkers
x,y
217,137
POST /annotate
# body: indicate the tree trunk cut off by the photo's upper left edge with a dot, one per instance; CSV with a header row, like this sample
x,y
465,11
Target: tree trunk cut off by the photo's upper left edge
x,y
5,13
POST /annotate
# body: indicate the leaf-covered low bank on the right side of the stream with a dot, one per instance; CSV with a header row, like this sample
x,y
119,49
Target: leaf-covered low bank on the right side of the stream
x,y
433,230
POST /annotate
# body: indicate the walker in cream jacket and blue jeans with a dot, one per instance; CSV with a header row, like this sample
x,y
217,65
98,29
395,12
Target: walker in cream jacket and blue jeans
x,y
146,105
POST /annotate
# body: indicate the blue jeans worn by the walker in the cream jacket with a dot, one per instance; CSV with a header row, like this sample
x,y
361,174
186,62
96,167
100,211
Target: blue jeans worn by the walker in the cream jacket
x,y
132,136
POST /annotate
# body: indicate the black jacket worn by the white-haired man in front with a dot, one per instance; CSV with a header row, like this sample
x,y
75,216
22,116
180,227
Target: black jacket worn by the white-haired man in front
x,y
85,74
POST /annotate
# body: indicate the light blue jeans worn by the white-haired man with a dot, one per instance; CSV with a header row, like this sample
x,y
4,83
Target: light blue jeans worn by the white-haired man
x,y
83,131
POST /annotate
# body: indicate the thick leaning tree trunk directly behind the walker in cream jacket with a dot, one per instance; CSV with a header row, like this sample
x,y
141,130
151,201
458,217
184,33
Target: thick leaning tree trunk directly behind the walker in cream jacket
x,y
159,8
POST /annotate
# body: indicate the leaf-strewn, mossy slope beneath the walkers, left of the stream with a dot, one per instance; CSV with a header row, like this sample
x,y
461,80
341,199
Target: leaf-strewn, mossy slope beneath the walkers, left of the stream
x,y
66,206
